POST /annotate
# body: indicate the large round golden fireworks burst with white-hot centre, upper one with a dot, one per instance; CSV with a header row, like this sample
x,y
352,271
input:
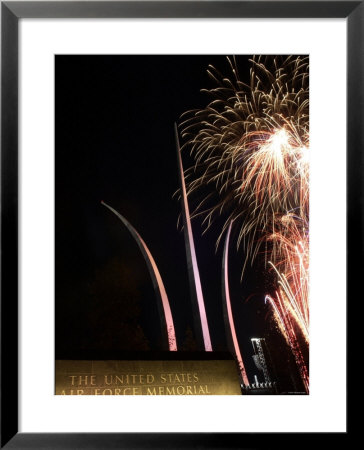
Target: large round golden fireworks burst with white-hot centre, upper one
x,y
251,144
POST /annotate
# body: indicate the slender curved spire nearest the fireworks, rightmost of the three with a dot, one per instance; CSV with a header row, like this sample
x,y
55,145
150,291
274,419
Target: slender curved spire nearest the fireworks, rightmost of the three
x,y
228,314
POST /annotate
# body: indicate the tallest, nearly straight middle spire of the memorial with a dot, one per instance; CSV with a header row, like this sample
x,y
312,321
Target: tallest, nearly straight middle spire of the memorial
x,y
202,333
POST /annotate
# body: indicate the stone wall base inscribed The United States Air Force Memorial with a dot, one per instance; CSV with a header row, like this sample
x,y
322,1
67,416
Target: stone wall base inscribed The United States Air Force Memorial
x,y
174,374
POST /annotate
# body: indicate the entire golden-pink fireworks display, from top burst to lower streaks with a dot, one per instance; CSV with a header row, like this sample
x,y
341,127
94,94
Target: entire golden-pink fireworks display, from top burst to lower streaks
x,y
251,147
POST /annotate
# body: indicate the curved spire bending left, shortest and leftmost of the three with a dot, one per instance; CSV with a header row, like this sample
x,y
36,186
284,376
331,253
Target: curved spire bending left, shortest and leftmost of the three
x,y
165,313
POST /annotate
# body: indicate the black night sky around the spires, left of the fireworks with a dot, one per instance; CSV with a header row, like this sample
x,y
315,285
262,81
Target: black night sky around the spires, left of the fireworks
x,y
115,142
